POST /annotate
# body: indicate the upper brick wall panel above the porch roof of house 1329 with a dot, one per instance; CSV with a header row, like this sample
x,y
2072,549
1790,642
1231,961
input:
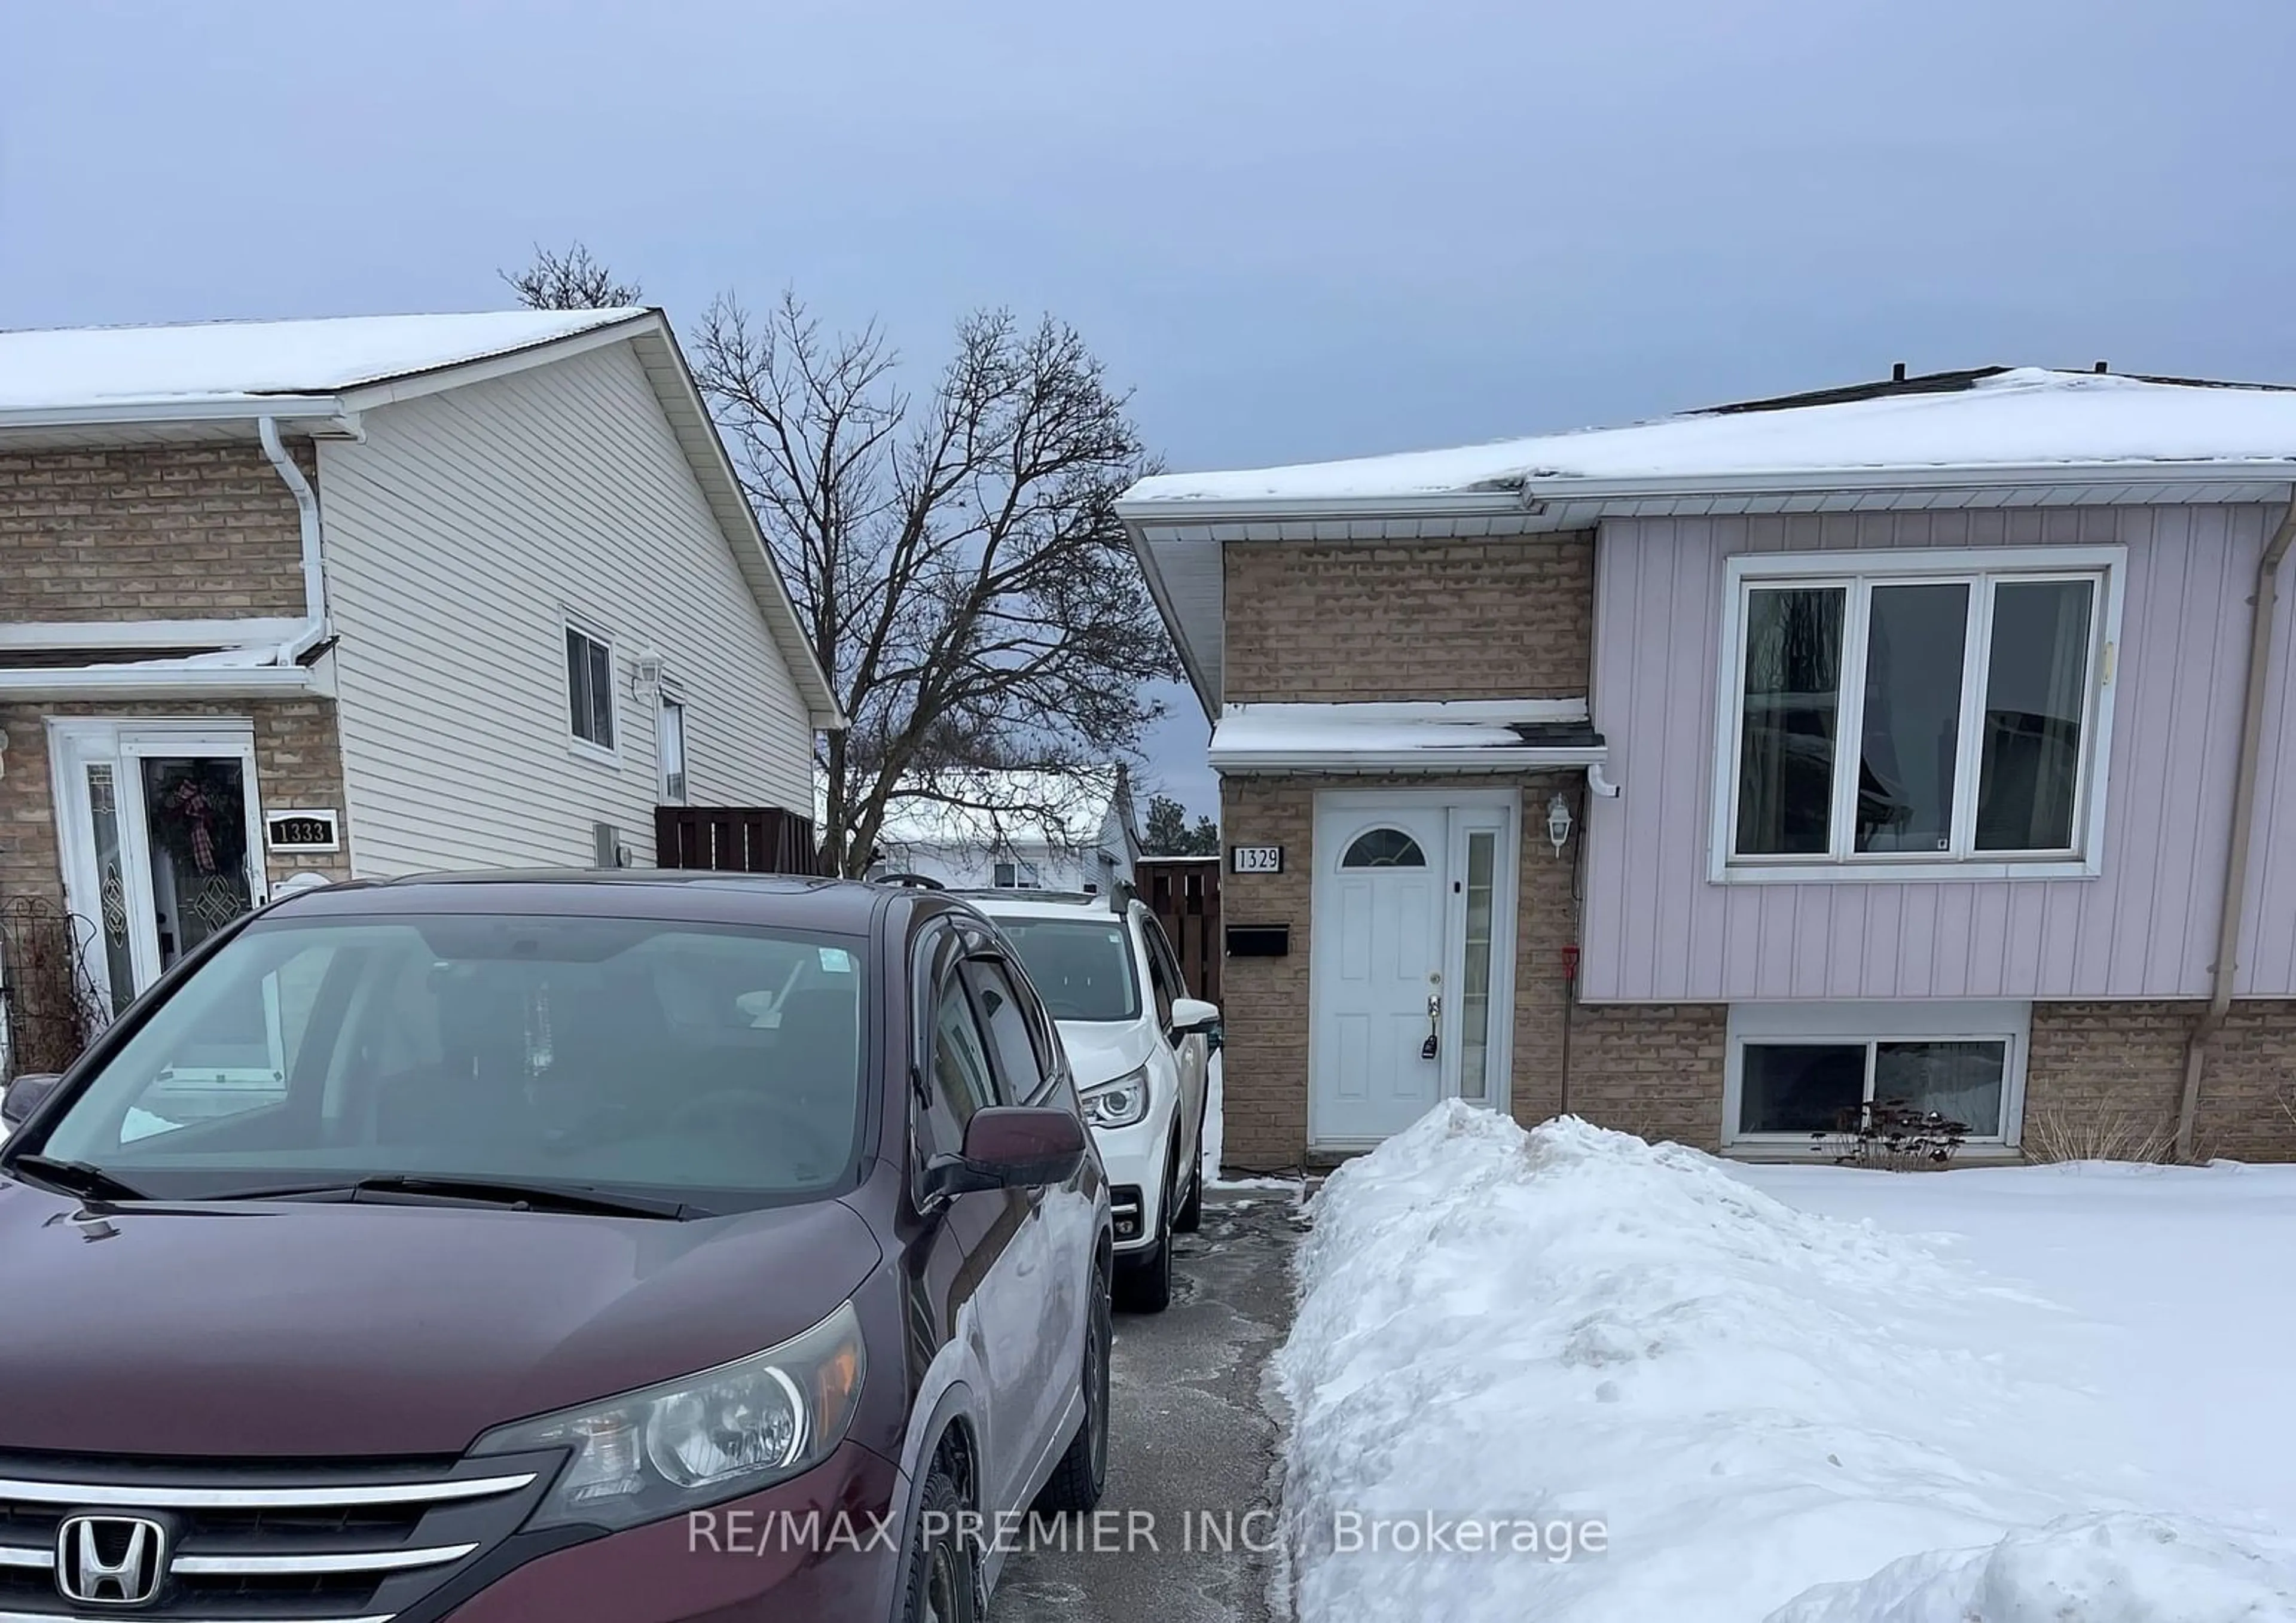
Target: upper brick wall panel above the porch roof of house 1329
x,y
1507,619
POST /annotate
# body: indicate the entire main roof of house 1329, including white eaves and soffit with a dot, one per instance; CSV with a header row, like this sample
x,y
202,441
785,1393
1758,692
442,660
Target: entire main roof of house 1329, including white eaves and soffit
x,y
1989,437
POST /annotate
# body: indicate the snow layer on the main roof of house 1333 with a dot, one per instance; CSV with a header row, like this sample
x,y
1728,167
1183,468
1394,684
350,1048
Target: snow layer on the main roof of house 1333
x,y
203,366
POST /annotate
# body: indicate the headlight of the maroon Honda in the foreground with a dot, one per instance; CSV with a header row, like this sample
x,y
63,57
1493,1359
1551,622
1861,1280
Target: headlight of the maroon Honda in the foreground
x,y
704,1438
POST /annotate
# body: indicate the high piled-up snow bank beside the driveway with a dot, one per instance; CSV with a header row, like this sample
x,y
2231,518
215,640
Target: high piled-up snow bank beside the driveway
x,y
1576,1330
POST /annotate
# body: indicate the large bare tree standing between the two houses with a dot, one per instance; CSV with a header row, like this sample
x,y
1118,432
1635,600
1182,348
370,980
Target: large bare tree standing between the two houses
x,y
956,559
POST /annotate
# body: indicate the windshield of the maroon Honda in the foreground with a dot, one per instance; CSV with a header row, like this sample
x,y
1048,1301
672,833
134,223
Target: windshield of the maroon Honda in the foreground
x,y
550,1050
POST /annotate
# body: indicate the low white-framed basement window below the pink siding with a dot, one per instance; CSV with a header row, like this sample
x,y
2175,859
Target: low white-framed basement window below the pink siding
x,y
1801,1073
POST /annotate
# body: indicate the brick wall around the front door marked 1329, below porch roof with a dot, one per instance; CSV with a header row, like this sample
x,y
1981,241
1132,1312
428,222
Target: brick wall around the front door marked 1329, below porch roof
x,y
1266,1000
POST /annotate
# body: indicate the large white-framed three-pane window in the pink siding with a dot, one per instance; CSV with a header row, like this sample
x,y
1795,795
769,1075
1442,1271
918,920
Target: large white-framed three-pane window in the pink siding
x,y
1916,713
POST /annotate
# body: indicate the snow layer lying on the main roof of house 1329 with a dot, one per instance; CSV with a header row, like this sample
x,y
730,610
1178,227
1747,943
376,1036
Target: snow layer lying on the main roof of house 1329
x,y
1992,419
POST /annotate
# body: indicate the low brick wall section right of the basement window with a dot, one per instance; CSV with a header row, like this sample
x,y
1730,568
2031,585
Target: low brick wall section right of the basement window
x,y
2125,1064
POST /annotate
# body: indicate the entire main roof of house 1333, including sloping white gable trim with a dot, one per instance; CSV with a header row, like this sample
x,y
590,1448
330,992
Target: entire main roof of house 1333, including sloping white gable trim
x,y
127,385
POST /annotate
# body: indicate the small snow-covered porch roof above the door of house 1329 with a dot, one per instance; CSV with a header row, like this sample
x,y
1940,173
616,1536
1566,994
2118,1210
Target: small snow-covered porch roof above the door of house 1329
x,y
1429,736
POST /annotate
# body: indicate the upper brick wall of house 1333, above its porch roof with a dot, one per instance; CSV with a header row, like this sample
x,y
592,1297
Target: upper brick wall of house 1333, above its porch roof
x,y
148,534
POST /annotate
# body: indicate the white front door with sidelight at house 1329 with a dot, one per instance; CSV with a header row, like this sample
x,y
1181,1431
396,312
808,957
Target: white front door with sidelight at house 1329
x,y
1411,965
